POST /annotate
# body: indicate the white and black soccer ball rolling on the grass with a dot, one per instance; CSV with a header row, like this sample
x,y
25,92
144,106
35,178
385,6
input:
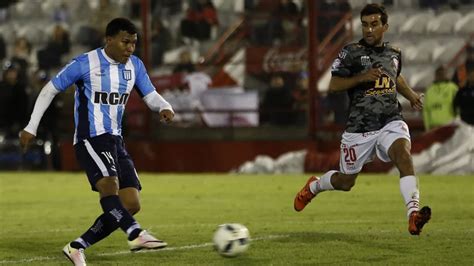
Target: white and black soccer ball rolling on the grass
x,y
231,240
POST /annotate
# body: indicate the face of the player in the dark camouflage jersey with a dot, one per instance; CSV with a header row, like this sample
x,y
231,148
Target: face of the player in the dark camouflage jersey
x,y
373,29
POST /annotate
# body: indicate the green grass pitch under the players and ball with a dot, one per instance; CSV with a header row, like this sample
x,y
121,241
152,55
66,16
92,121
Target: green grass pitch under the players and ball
x,y
41,212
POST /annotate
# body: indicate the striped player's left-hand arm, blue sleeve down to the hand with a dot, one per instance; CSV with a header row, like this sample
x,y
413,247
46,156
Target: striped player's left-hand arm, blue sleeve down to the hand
x,y
63,80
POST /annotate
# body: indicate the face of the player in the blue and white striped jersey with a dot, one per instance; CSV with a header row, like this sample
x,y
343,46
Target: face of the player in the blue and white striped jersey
x,y
121,46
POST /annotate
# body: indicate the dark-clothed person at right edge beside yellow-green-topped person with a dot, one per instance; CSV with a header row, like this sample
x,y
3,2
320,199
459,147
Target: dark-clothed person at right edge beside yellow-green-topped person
x,y
464,100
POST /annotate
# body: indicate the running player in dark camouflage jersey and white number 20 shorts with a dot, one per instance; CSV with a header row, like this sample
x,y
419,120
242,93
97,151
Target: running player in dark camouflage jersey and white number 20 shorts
x,y
369,71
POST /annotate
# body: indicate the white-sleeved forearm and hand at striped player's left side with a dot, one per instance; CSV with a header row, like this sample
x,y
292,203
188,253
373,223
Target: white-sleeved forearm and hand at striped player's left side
x,y
42,103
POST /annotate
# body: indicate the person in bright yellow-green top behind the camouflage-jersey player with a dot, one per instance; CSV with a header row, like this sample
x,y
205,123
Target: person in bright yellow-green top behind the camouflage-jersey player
x,y
437,109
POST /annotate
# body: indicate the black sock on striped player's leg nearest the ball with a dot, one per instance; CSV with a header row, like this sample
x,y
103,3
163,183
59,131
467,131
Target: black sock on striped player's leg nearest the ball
x,y
119,215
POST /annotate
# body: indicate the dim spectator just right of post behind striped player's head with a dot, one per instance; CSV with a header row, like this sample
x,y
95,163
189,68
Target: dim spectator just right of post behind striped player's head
x,y
160,41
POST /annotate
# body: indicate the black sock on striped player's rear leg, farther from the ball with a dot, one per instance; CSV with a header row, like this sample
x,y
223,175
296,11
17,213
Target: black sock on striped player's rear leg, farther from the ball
x,y
103,226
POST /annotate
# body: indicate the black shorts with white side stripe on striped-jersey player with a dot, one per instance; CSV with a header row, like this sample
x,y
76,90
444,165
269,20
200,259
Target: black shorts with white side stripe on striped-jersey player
x,y
105,155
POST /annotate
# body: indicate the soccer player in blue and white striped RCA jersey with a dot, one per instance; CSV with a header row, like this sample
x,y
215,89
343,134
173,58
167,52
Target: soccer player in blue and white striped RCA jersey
x,y
104,79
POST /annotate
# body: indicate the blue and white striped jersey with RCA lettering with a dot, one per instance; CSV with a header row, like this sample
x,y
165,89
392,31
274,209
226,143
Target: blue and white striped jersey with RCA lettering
x,y
102,90
